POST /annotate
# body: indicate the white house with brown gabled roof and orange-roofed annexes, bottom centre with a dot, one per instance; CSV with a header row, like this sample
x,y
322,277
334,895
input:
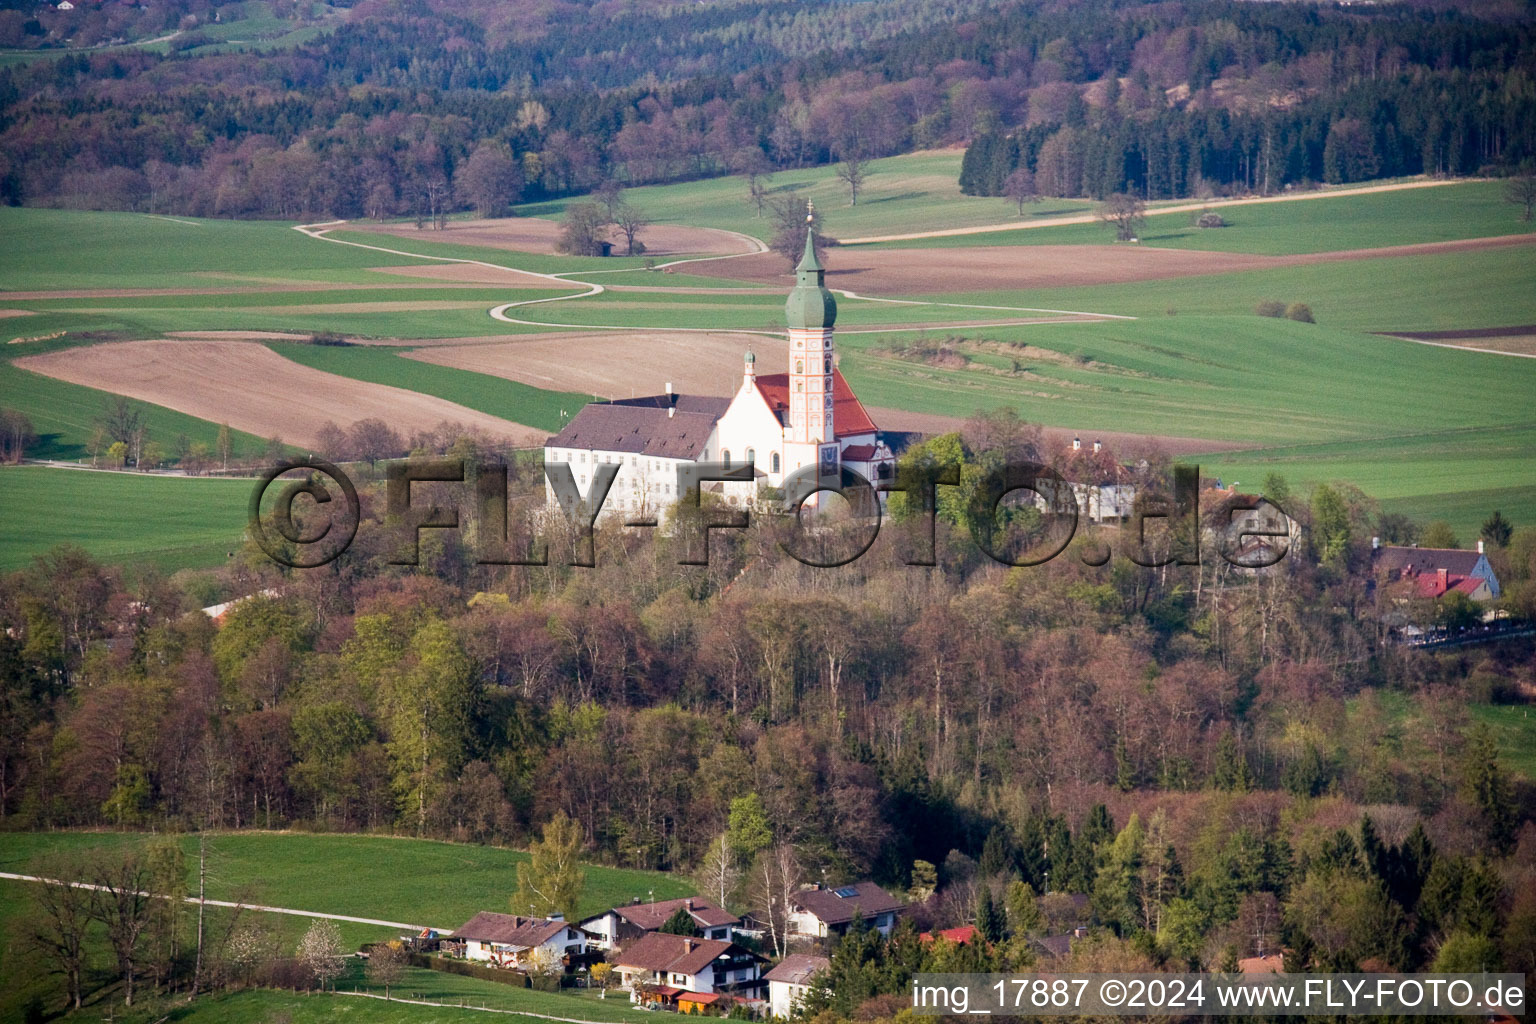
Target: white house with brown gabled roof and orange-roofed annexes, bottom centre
x,y
660,968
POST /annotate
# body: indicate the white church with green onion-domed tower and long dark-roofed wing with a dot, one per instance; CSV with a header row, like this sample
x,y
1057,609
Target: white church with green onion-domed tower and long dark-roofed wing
x,y
778,423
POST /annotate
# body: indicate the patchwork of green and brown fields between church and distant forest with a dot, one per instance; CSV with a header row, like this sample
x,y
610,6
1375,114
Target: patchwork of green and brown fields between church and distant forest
x,y
1156,342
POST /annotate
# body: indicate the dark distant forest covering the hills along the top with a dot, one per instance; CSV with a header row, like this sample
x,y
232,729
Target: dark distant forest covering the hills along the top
x,y
383,114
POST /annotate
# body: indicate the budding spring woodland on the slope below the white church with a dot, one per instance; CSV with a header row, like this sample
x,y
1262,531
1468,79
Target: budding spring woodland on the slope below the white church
x,y
1197,762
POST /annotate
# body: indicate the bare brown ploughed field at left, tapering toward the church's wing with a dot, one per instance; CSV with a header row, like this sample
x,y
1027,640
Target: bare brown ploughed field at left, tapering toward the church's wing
x,y
257,391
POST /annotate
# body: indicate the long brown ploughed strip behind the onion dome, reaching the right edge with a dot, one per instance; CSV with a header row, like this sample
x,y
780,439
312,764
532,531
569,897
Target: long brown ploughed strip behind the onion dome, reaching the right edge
x,y
1018,268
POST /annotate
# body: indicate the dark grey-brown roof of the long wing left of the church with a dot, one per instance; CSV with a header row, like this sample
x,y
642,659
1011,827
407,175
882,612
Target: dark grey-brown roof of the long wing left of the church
x,y
641,426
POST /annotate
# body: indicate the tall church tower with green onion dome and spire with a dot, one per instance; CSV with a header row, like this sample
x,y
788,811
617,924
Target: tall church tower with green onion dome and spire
x,y
812,312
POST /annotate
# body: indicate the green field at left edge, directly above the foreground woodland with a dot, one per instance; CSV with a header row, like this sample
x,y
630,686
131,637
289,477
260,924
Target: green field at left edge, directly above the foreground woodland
x,y
171,523
